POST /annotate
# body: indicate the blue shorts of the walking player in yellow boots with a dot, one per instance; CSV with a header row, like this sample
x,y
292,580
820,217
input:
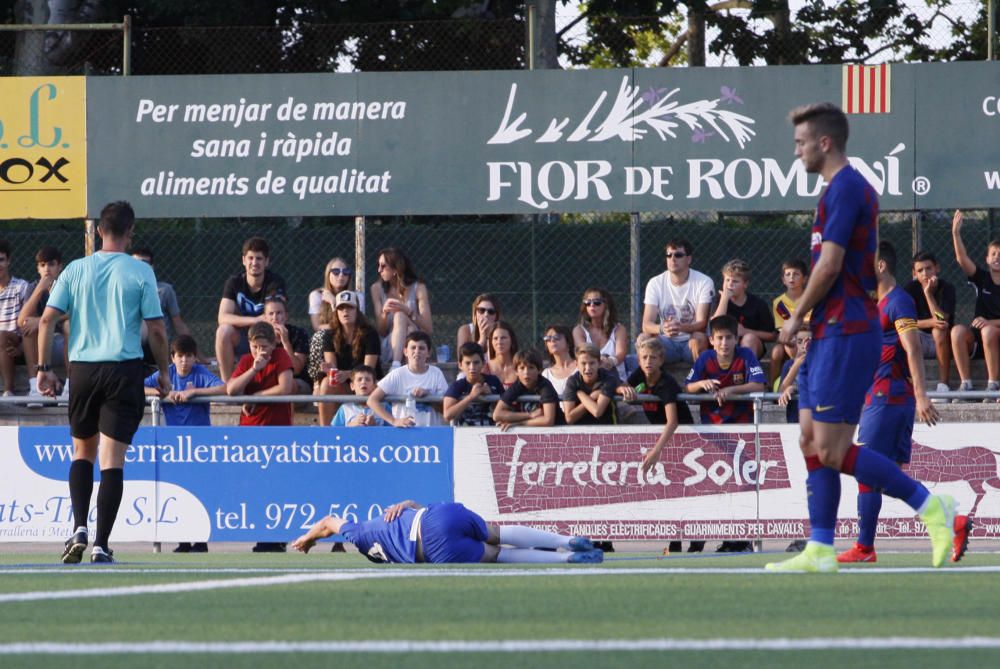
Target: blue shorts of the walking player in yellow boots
x,y
837,374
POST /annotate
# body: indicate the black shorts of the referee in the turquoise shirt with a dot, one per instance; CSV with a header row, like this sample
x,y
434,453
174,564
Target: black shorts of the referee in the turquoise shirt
x,y
106,397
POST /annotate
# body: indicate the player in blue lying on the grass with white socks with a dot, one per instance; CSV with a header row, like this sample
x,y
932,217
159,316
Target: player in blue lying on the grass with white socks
x,y
448,532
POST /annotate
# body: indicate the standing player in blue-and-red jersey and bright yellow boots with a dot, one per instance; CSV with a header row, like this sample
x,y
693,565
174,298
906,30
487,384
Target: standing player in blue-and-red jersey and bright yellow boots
x,y
845,348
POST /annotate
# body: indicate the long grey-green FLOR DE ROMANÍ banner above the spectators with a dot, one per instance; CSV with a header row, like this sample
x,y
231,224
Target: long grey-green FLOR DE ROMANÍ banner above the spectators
x,y
507,142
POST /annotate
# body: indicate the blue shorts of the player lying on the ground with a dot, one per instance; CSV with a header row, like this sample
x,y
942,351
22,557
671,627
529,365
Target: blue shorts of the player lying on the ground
x,y
452,533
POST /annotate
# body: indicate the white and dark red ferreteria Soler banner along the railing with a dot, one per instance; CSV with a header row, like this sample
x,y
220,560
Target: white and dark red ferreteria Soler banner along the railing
x,y
710,482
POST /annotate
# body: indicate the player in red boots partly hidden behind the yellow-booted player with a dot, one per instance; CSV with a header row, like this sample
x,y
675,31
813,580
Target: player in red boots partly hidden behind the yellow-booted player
x,y
898,394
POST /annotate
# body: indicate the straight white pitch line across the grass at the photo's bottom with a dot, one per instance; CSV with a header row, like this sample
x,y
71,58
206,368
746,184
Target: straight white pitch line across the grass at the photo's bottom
x,y
508,646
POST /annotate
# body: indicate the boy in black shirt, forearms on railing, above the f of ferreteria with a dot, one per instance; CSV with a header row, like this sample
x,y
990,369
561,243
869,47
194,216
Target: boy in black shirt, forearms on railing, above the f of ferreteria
x,y
511,411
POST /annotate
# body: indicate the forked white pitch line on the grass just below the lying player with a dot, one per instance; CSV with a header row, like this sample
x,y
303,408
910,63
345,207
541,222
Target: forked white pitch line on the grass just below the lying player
x,y
286,579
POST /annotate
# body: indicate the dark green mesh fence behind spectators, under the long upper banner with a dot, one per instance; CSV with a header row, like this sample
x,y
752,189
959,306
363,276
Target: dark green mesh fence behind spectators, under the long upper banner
x,y
538,268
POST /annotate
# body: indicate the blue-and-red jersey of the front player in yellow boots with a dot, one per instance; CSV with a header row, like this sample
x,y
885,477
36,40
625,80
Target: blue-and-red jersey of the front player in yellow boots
x,y
847,215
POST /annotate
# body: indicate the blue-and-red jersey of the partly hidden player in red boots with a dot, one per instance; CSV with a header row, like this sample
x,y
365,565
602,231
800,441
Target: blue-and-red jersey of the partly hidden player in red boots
x,y
893,384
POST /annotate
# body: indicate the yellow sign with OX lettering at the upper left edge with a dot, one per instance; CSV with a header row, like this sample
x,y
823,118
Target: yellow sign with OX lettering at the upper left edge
x,y
43,147
